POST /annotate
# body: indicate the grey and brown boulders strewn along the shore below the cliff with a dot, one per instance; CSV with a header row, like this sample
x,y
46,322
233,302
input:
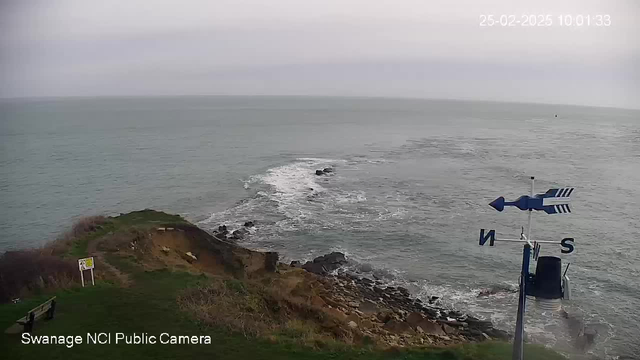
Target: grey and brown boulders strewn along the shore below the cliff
x,y
390,313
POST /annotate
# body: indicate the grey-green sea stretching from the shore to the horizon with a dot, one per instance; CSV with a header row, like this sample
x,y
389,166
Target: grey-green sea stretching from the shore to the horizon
x,y
408,196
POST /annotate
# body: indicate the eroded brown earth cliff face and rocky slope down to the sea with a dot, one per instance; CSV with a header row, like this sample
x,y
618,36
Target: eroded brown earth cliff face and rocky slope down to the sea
x,y
271,298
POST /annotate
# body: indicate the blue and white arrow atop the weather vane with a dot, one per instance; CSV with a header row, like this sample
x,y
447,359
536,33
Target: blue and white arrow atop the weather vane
x,y
554,201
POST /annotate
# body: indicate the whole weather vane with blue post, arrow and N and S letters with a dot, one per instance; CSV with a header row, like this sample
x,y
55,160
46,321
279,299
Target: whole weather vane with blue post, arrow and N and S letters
x,y
554,201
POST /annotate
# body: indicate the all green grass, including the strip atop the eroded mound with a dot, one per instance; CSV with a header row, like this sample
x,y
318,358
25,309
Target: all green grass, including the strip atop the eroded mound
x,y
151,305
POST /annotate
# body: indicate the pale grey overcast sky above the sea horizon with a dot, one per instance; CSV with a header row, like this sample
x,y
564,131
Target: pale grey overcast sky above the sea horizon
x,y
396,48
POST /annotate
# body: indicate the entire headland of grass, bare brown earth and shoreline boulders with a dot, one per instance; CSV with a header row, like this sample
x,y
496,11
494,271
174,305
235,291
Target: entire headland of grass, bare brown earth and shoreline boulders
x,y
149,262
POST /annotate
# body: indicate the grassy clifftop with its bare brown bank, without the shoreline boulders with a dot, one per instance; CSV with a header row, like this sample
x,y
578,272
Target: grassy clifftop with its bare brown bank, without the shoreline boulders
x,y
146,283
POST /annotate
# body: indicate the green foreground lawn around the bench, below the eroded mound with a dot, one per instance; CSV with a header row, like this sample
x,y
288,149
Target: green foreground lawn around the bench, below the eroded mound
x,y
150,307
